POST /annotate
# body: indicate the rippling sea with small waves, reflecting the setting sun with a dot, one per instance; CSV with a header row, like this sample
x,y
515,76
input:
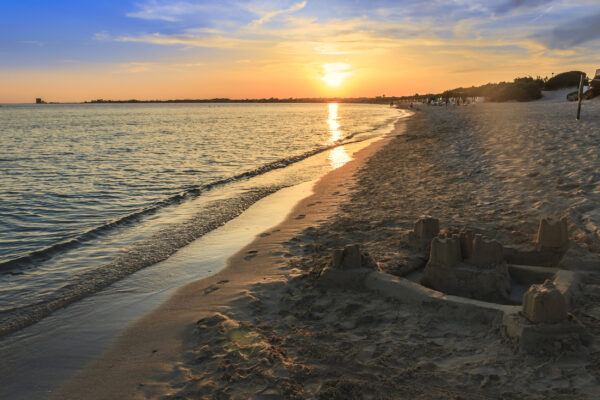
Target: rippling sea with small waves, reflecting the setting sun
x,y
92,193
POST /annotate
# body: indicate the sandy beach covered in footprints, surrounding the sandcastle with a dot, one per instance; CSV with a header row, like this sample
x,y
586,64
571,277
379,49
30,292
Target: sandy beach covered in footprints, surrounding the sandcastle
x,y
265,328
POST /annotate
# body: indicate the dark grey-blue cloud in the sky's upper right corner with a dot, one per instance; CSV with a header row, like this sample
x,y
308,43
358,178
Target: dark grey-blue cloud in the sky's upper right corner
x,y
571,34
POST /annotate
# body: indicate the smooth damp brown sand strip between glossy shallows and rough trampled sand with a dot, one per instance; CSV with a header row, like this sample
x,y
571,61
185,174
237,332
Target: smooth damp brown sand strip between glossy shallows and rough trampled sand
x,y
153,344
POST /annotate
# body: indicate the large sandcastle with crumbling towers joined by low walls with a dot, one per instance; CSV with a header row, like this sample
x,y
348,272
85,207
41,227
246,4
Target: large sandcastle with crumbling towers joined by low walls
x,y
465,268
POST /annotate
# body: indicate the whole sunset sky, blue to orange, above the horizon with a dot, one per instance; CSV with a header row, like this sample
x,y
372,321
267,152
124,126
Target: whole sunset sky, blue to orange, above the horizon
x,y
172,49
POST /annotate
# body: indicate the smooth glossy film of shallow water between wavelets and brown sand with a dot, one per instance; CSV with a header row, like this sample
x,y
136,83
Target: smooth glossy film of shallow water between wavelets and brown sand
x,y
40,358
